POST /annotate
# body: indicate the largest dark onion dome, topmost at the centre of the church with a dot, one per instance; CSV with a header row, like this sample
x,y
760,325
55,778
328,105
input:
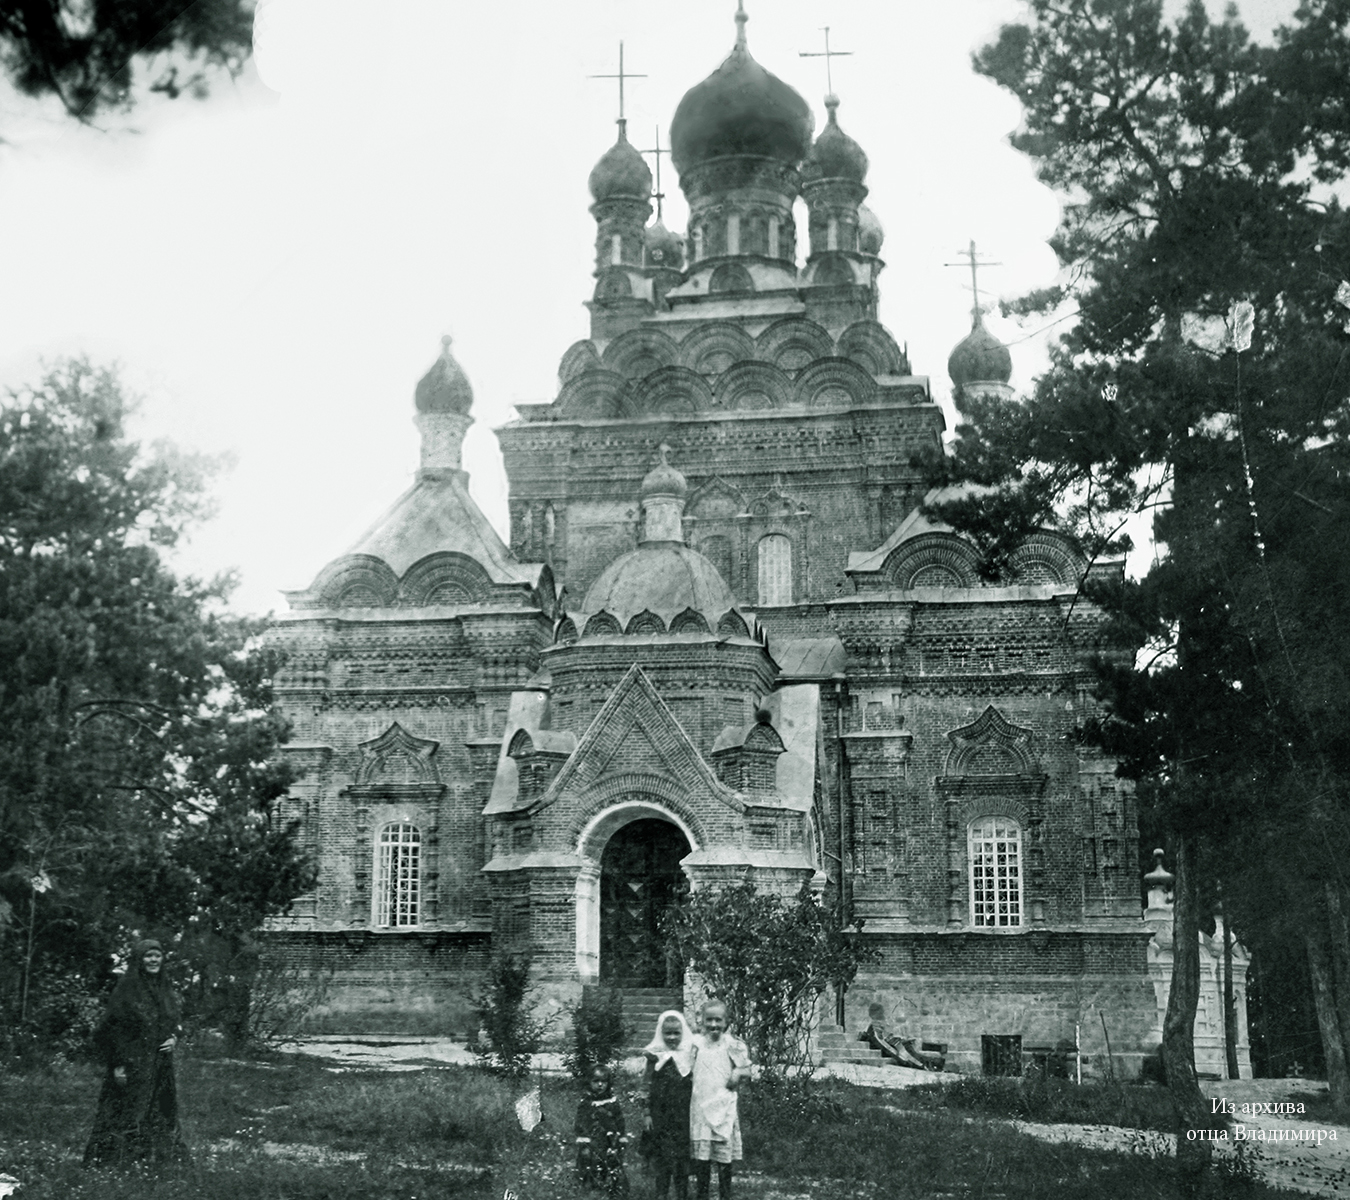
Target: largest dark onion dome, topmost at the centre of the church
x,y
740,109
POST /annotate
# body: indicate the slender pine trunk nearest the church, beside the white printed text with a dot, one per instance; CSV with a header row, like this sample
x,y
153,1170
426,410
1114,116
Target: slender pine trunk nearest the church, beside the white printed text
x,y
1194,1148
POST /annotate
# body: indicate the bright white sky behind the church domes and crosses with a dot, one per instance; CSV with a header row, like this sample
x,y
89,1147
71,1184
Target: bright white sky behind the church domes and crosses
x,y
272,269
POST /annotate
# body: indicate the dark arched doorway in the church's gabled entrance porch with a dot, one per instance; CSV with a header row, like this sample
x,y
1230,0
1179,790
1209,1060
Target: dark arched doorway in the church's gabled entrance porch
x,y
639,879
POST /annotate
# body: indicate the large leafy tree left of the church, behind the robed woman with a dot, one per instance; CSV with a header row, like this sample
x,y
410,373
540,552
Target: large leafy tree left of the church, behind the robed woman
x,y
138,778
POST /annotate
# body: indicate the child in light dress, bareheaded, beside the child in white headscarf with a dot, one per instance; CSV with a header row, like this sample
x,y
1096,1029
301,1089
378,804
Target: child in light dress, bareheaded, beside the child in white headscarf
x,y
715,1125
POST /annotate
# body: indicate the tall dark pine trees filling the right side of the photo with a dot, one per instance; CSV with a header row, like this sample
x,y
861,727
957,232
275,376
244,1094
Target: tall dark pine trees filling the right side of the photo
x,y
1195,171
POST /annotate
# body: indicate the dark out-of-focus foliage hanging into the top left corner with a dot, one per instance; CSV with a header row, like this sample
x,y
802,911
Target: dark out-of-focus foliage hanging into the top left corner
x,y
87,55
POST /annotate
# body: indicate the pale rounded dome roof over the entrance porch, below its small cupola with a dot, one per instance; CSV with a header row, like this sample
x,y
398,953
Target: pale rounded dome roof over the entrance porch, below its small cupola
x,y
662,578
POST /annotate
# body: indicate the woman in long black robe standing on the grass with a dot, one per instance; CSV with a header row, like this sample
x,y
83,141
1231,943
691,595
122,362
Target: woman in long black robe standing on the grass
x,y
138,1106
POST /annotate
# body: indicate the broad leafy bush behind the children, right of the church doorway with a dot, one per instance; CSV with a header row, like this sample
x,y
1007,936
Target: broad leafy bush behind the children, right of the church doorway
x,y
769,959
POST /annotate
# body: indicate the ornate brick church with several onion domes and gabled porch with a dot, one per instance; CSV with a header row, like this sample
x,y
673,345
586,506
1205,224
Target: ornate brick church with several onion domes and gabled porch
x,y
724,643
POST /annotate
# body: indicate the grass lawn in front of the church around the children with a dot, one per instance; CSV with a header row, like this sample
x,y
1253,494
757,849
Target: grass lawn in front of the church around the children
x,y
291,1130
